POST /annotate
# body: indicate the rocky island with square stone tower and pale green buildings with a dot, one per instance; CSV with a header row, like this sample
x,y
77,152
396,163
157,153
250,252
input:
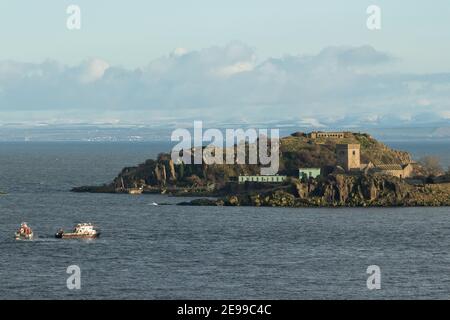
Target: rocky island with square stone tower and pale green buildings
x,y
324,169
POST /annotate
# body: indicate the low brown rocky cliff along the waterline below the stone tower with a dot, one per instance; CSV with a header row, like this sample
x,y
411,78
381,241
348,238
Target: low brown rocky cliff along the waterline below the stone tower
x,y
342,190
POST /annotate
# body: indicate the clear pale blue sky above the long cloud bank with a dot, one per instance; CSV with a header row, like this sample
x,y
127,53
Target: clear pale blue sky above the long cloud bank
x,y
131,33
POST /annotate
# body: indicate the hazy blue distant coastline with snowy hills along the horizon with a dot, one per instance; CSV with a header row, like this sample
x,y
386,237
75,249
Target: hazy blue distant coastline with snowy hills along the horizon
x,y
129,132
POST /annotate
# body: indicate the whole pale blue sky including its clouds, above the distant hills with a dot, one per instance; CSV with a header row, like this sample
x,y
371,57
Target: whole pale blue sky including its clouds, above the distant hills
x,y
315,62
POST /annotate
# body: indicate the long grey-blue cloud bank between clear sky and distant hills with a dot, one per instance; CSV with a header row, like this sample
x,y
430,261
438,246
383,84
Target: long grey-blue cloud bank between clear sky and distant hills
x,y
339,85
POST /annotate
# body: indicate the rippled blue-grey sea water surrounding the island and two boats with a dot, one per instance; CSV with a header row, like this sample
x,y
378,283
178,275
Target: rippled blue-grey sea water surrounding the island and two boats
x,y
167,252
